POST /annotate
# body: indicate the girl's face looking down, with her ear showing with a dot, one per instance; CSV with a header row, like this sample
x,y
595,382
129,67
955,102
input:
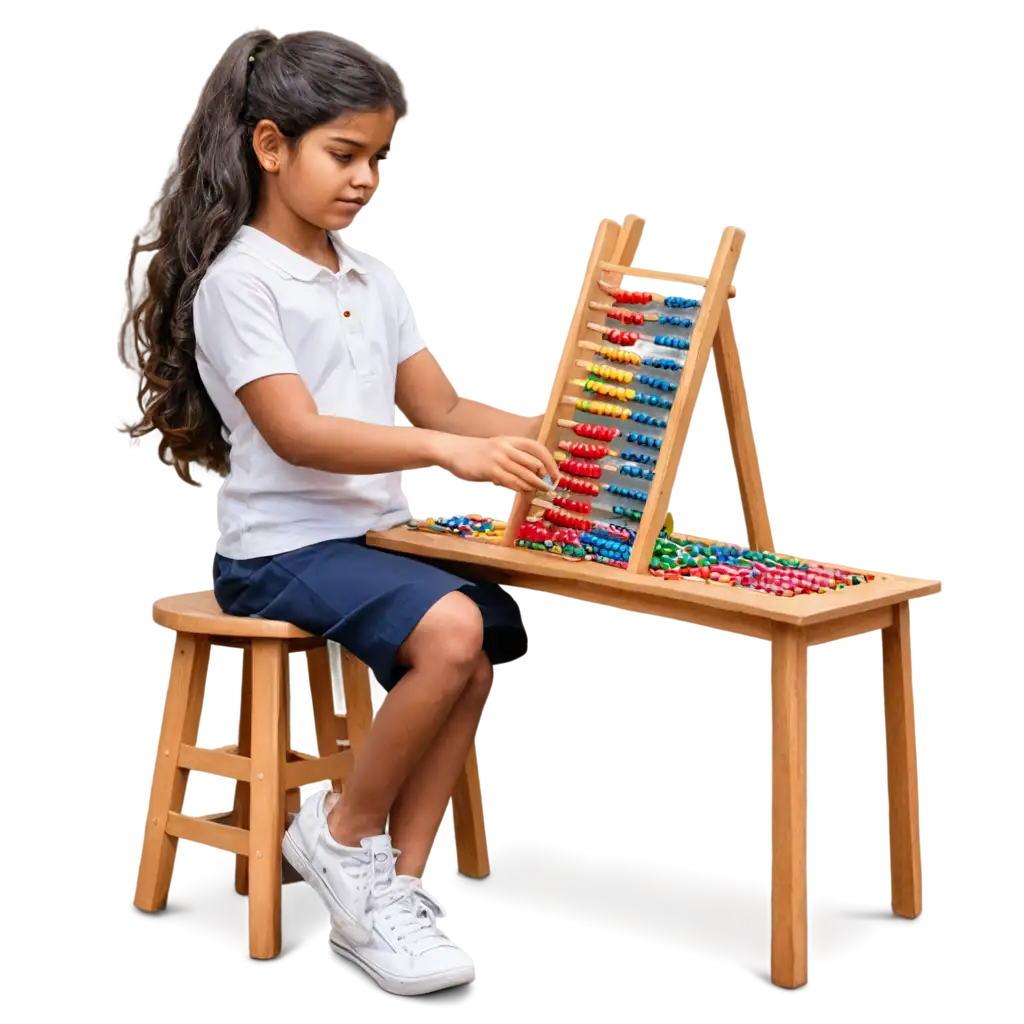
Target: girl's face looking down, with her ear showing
x,y
328,179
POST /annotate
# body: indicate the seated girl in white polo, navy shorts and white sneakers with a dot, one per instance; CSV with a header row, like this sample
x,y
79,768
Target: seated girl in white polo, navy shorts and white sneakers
x,y
279,355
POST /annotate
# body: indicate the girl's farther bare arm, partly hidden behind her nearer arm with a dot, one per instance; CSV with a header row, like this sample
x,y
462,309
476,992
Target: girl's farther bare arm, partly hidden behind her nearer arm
x,y
428,399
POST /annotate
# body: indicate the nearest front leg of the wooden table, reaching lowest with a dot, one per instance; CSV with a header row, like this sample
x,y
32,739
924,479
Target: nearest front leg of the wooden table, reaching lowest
x,y
786,808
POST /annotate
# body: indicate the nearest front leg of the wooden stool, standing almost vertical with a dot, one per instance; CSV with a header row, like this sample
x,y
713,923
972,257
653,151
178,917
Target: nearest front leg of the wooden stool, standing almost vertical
x,y
267,812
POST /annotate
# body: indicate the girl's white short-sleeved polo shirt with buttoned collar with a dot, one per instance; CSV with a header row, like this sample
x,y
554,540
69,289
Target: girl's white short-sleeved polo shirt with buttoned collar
x,y
262,310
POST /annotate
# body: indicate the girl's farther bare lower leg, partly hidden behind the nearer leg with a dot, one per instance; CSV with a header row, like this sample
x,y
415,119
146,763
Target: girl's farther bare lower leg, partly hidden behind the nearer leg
x,y
421,802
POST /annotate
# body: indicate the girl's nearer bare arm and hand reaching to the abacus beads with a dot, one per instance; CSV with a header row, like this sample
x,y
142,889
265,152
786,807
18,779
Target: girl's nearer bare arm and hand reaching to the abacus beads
x,y
285,414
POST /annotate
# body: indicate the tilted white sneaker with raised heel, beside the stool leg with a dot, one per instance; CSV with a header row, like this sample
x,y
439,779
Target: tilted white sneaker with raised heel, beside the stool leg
x,y
340,875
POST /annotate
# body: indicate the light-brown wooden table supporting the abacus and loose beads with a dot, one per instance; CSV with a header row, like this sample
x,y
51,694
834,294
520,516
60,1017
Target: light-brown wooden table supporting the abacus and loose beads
x,y
787,626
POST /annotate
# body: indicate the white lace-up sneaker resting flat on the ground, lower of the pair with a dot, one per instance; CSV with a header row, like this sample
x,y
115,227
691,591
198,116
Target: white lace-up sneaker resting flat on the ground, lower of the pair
x,y
408,954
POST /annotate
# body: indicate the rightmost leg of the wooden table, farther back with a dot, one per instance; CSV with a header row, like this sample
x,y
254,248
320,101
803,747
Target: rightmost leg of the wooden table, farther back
x,y
900,729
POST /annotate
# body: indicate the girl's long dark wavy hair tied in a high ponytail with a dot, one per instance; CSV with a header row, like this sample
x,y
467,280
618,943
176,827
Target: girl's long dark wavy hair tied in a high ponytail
x,y
300,83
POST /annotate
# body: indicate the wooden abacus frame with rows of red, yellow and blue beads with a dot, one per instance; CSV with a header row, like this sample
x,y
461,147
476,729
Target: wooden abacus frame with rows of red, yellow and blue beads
x,y
606,335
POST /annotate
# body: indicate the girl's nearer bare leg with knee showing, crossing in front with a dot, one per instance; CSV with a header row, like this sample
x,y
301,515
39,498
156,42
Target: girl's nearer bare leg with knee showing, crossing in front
x,y
444,653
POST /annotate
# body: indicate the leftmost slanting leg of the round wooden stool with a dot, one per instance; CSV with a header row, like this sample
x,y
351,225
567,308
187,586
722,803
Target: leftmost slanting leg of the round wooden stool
x,y
154,874
